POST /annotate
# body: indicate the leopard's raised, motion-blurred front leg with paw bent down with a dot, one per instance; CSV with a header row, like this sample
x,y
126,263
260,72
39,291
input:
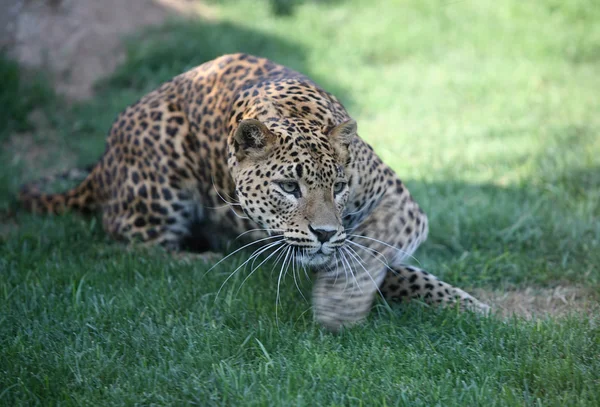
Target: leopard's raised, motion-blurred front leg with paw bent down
x,y
392,231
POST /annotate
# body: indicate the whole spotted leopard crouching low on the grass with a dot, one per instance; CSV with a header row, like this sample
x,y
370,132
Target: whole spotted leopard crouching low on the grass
x,y
243,146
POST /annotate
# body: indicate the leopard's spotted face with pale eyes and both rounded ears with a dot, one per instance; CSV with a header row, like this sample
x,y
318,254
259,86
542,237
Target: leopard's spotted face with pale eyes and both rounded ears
x,y
292,181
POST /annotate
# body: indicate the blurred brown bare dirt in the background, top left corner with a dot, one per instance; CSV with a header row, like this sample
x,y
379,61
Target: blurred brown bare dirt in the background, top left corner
x,y
80,41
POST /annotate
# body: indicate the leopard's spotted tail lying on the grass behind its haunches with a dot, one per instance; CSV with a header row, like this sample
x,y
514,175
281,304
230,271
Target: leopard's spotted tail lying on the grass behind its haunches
x,y
82,198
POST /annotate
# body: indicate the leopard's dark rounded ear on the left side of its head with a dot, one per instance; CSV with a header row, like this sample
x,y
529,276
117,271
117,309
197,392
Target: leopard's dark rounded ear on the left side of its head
x,y
251,138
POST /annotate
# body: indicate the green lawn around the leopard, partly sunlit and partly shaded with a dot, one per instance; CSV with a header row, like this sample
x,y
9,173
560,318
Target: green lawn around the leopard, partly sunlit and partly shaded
x,y
487,110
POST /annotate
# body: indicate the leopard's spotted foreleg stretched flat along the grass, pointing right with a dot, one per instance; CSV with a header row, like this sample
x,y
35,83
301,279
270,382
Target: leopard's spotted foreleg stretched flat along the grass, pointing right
x,y
403,283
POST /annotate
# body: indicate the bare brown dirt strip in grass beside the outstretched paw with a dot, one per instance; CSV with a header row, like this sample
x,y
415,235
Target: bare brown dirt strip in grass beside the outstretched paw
x,y
541,302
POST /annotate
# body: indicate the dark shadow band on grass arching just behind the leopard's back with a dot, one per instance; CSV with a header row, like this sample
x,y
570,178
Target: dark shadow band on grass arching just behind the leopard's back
x,y
157,55
